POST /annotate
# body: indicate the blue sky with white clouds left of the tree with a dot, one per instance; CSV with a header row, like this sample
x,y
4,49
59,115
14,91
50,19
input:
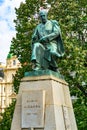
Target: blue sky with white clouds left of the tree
x,y
7,26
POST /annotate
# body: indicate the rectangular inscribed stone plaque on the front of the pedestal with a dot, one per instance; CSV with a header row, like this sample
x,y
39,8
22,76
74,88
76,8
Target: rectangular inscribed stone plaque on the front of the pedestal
x,y
33,109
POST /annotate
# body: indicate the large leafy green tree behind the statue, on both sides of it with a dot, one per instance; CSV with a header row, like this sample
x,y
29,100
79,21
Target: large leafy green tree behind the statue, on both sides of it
x,y
72,19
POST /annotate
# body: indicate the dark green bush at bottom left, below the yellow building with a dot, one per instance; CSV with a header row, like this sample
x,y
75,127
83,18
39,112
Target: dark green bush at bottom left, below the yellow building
x,y
5,122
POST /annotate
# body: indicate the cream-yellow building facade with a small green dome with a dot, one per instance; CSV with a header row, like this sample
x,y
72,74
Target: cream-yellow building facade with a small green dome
x,y
6,81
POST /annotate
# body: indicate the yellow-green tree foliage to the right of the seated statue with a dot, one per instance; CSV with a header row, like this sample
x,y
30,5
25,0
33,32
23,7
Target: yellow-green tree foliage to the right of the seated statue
x,y
72,18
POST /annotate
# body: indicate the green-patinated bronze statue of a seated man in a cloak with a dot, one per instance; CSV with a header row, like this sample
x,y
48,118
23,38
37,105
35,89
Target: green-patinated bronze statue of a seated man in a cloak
x,y
47,44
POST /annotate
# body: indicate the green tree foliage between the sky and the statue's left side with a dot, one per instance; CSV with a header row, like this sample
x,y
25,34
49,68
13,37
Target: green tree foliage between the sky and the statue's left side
x,y
21,45
